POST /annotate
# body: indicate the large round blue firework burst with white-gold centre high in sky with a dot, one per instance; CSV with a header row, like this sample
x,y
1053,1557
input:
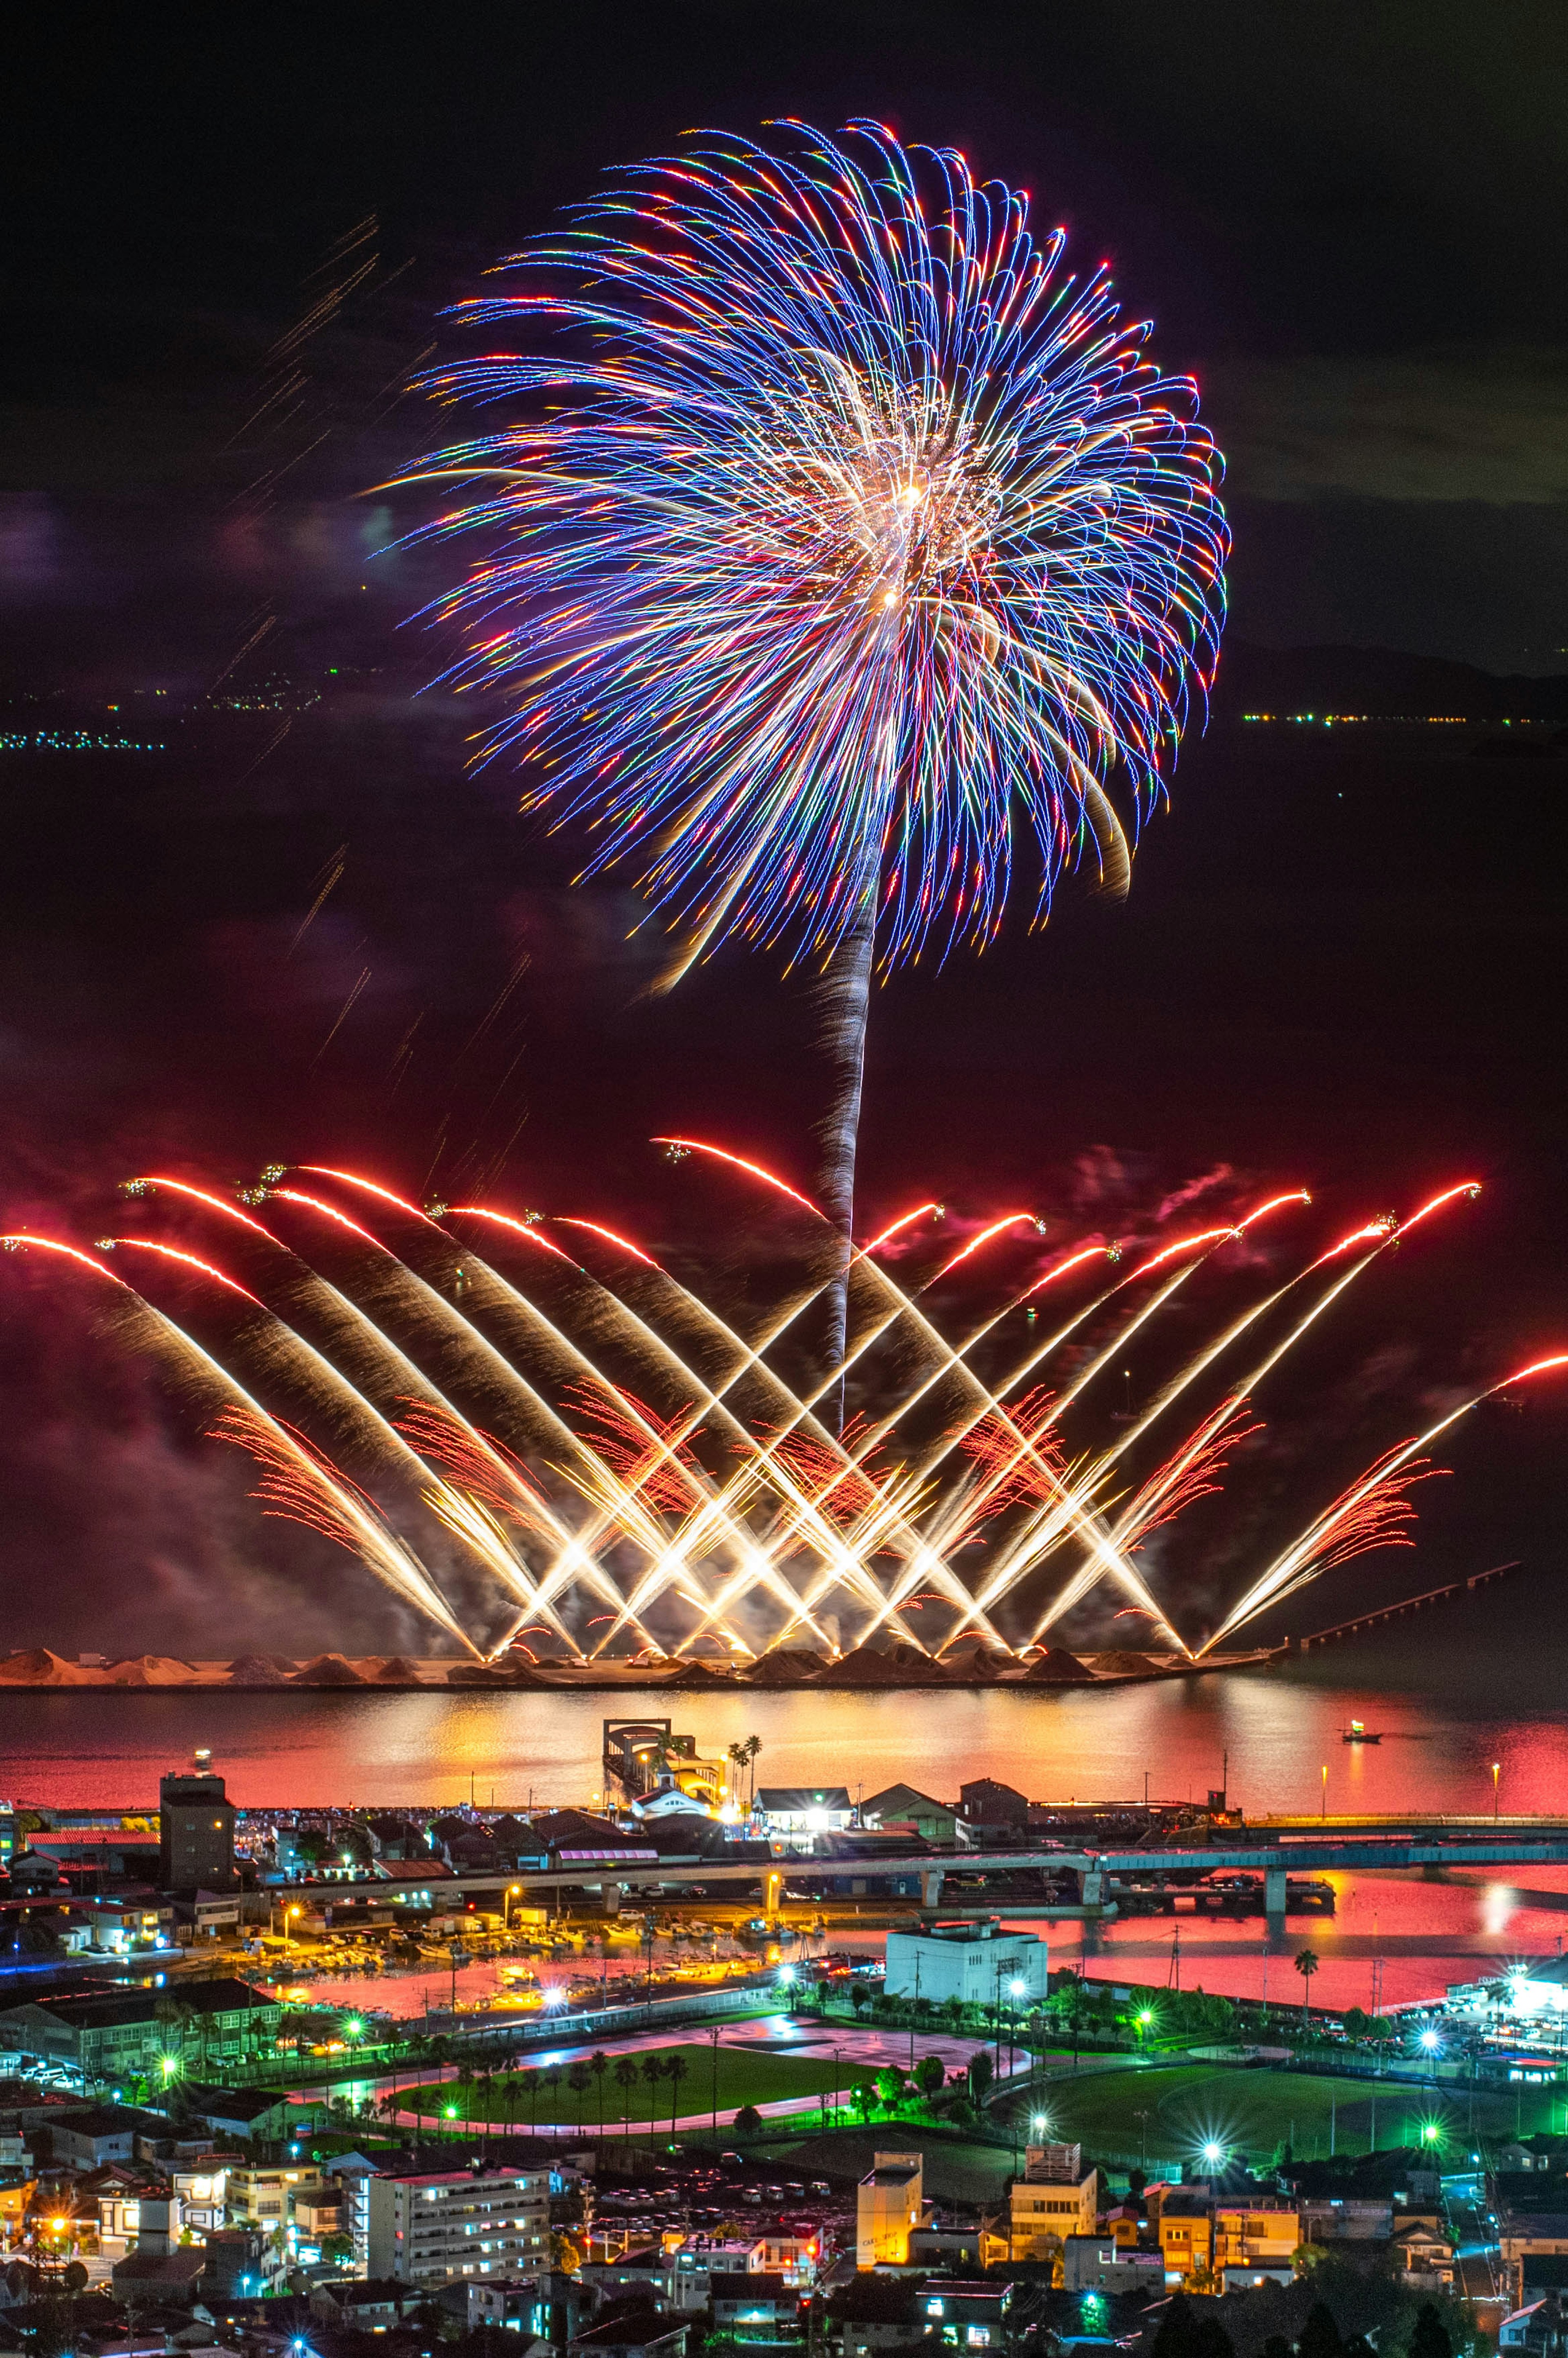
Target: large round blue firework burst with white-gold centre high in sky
x,y
831,525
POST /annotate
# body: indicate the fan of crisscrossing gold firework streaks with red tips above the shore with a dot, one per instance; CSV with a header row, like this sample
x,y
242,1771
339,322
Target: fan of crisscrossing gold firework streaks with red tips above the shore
x,y
650,1477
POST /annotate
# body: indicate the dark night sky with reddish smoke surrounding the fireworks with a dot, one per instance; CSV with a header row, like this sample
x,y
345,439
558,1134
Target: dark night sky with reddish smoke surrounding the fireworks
x,y
1340,963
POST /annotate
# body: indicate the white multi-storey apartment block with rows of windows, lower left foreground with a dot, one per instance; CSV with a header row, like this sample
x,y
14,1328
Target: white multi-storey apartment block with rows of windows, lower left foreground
x,y
433,2227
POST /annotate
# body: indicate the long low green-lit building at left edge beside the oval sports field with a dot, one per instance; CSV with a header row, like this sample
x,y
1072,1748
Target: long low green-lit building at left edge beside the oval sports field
x,y
145,2034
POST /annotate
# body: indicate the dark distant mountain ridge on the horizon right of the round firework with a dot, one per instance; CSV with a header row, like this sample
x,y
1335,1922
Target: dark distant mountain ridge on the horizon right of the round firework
x,y
1378,683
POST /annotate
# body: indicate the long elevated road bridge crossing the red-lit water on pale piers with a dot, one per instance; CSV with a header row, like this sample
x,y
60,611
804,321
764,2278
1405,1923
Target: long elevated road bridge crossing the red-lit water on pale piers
x,y
1270,1847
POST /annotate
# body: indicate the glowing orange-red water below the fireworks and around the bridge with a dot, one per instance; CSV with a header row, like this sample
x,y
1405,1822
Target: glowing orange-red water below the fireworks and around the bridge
x,y
1270,1737
